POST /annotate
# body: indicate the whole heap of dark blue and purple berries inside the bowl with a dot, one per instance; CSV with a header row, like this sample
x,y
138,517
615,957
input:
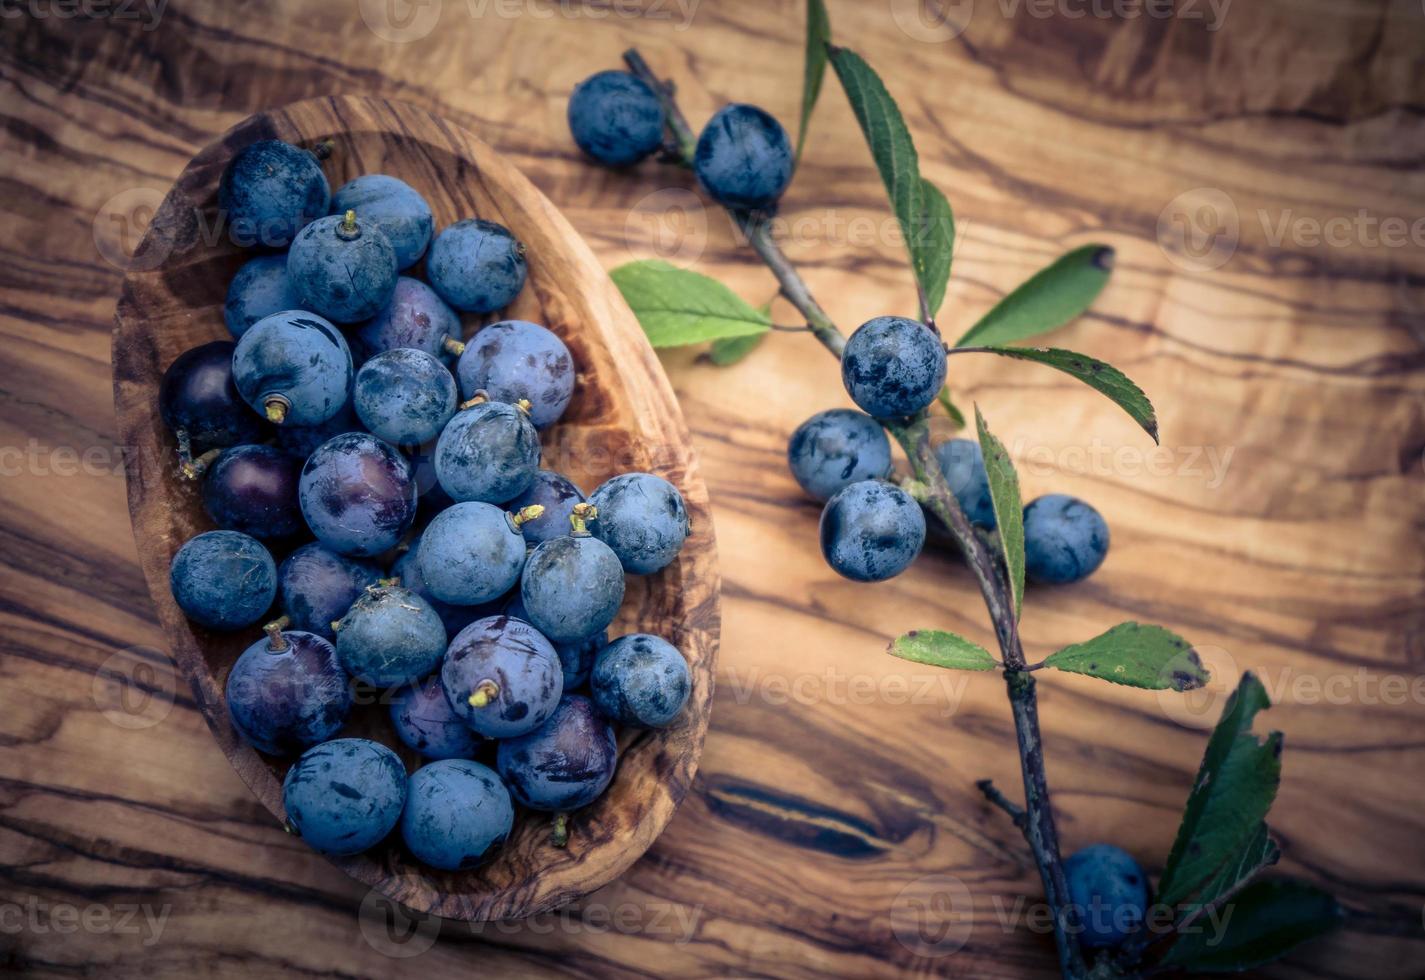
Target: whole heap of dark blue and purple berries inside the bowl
x,y
480,603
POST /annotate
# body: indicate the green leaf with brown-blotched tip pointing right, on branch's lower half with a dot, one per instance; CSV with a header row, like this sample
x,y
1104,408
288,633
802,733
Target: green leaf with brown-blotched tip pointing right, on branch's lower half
x,y
1138,657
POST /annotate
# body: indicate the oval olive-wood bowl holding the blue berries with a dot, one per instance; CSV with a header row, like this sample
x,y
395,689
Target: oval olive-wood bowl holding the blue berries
x,y
623,418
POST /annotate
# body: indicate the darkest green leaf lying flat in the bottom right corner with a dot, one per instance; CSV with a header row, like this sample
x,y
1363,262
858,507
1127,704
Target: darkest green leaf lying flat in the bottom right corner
x,y
1263,922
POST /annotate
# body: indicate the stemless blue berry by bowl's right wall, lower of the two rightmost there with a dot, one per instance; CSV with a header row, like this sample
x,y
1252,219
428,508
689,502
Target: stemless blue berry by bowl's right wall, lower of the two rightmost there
x,y
641,680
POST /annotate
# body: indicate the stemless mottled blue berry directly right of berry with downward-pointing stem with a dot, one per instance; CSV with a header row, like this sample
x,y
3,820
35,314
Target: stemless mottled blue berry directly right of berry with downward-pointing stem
x,y
405,397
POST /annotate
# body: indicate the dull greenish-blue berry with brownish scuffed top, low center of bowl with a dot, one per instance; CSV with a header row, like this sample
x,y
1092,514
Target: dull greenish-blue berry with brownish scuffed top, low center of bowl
x,y
390,637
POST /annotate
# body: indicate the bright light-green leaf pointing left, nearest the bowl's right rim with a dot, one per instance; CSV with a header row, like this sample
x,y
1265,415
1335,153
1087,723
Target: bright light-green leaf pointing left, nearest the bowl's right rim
x,y
678,307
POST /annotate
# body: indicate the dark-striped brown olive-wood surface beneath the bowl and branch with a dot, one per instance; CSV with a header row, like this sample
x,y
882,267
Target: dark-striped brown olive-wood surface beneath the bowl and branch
x,y
834,808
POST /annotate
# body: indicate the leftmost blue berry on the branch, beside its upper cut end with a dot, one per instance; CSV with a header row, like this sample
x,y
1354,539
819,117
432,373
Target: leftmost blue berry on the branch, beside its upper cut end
x,y
616,119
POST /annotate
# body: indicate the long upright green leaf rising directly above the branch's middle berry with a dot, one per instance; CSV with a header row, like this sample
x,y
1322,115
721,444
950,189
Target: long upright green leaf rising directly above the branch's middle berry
x,y
924,214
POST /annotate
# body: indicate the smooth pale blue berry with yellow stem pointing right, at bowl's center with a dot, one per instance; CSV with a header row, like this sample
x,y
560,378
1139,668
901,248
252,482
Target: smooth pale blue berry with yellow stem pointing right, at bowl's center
x,y
472,553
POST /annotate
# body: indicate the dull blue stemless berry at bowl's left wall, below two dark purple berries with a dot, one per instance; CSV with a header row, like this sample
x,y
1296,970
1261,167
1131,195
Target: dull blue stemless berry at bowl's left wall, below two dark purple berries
x,y
223,580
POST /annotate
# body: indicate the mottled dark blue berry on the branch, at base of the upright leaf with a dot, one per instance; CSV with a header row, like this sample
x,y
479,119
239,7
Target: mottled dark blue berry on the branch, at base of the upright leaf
x,y
893,367
